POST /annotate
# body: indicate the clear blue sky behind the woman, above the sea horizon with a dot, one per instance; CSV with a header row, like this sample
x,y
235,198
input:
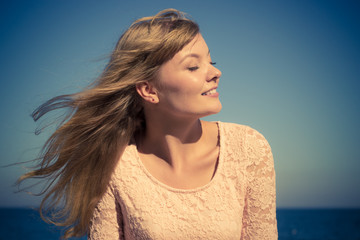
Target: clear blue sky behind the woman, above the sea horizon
x,y
290,69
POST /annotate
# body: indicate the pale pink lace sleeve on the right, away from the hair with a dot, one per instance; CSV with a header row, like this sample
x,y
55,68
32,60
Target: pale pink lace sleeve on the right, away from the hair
x,y
259,219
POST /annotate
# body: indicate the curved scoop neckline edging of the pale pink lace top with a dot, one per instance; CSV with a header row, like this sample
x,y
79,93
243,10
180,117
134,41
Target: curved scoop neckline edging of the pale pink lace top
x,y
191,190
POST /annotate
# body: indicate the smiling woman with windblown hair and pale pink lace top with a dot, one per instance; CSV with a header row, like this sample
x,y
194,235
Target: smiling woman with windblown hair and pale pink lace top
x,y
134,160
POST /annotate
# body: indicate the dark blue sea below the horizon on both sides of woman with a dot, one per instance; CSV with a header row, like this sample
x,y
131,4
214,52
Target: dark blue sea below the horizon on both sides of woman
x,y
323,224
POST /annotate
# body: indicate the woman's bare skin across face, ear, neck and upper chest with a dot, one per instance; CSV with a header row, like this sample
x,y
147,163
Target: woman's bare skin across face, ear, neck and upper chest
x,y
186,150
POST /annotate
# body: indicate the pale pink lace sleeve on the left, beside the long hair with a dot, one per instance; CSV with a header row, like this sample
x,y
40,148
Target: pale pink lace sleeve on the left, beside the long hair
x,y
106,223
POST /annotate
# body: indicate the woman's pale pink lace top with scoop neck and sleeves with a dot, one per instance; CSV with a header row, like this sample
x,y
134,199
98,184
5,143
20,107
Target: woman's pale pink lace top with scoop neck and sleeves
x,y
238,203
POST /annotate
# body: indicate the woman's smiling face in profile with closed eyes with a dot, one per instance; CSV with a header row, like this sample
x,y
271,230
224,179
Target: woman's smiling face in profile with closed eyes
x,y
188,82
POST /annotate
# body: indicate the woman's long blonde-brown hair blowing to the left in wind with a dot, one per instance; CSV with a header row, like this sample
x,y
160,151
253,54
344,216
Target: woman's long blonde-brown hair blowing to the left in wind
x,y
79,157
